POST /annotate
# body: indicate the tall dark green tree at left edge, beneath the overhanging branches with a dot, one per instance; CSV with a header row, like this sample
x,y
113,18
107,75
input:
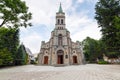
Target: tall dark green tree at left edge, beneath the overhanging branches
x,y
9,40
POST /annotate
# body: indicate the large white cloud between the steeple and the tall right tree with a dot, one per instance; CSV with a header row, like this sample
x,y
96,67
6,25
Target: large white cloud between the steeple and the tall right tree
x,y
81,26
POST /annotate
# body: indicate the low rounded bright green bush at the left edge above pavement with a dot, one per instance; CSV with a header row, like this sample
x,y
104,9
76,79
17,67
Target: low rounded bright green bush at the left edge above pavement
x,y
5,57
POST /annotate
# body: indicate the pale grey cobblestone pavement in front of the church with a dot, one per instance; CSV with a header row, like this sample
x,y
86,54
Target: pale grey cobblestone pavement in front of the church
x,y
80,72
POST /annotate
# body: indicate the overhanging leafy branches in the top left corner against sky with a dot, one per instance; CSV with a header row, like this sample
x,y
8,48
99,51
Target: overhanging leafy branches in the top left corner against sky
x,y
14,13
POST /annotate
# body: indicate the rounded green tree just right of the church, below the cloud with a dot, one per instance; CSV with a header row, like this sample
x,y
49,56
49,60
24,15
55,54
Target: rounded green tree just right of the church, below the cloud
x,y
93,49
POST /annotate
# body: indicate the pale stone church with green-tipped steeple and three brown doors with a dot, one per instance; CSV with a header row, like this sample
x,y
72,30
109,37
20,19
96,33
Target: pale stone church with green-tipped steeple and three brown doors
x,y
60,50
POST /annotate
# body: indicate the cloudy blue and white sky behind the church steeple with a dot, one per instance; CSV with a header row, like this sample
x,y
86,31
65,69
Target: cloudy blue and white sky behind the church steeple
x,y
79,21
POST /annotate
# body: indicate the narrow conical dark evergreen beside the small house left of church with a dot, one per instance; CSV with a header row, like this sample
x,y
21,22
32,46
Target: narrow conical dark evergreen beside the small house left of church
x,y
22,56
